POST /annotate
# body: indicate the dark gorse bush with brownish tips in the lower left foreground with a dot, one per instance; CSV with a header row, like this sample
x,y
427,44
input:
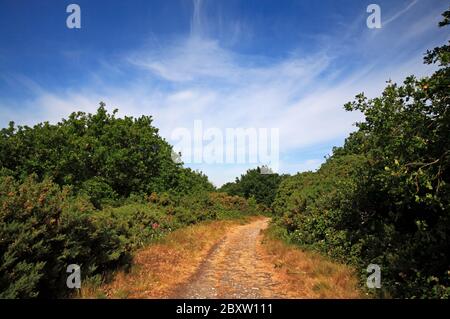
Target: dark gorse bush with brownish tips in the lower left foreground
x,y
42,231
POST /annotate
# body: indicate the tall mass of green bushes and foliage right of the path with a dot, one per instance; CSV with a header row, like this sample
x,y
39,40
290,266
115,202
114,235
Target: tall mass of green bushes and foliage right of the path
x,y
383,197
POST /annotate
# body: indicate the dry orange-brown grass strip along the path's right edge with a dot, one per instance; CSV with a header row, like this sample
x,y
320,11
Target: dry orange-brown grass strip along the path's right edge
x,y
306,274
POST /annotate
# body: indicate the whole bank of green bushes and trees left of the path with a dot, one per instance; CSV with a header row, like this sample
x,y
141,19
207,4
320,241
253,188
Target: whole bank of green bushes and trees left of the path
x,y
89,191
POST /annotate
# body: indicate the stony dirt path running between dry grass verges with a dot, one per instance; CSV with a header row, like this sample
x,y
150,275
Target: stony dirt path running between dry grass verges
x,y
235,268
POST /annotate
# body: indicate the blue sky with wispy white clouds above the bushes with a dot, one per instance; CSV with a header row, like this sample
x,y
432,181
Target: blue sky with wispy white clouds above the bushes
x,y
289,65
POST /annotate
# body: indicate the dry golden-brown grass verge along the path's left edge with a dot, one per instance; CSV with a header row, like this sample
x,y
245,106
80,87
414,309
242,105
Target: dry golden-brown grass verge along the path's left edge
x,y
160,268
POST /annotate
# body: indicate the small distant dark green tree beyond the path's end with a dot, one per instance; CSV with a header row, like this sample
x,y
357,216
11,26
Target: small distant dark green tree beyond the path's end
x,y
256,183
